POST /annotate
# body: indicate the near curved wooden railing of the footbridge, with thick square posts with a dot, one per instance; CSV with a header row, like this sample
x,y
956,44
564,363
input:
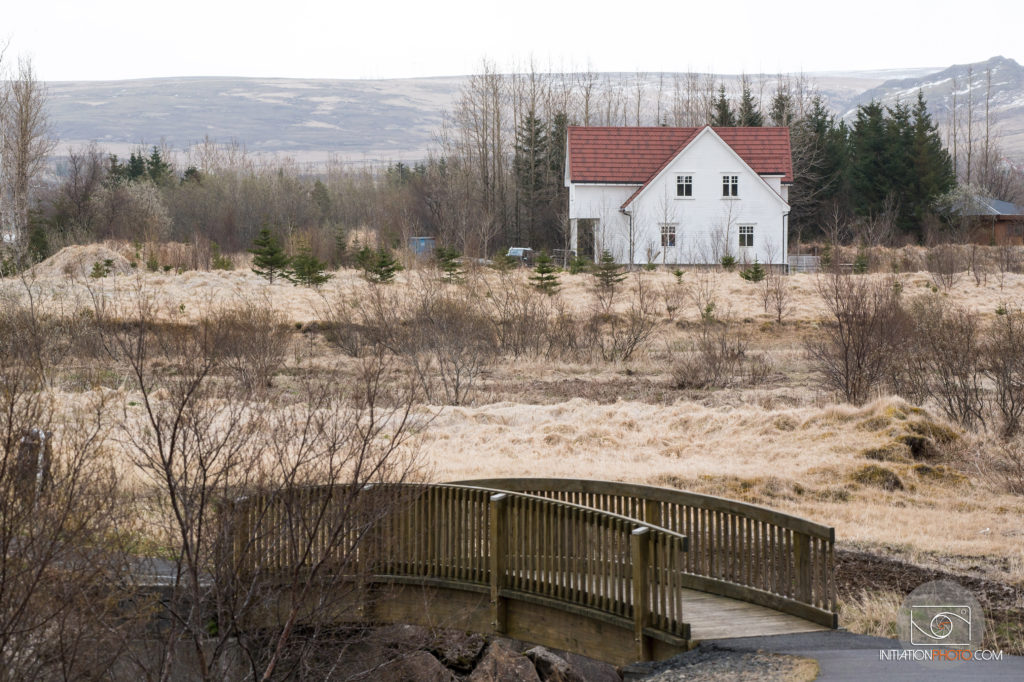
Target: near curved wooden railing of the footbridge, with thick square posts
x,y
515,545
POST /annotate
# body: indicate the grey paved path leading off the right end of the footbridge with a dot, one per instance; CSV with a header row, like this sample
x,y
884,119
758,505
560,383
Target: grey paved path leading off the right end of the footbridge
x,y
843,656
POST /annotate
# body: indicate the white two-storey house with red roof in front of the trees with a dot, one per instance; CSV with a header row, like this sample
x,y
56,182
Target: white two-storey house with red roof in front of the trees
x,y
673,196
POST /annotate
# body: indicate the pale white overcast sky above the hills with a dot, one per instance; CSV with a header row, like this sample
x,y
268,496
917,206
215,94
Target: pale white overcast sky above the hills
x,y
116,39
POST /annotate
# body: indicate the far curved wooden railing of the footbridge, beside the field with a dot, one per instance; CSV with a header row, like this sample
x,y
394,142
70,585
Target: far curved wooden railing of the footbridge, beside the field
x,y
737,549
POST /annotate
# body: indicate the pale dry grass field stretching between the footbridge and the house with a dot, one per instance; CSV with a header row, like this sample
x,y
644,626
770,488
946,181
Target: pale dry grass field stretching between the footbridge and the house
x,y
897,480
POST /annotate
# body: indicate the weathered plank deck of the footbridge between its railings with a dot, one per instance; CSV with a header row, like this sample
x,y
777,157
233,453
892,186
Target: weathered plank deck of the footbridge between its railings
x,y
712,617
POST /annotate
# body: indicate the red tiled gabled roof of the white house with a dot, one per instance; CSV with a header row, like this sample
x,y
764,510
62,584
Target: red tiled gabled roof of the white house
x,y
635,156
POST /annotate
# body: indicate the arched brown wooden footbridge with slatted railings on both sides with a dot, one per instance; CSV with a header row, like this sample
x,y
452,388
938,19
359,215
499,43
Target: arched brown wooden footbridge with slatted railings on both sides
x,y
616,572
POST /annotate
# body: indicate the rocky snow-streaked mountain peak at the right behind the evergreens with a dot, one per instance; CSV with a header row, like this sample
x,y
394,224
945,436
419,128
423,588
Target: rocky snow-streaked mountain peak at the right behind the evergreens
x,y
1007,96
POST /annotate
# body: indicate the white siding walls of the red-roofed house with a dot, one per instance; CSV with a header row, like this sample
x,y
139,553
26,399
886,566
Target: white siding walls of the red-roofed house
x,y
705,224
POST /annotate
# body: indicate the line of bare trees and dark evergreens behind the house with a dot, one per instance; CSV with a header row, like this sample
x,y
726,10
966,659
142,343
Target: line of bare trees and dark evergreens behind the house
x,y
497,178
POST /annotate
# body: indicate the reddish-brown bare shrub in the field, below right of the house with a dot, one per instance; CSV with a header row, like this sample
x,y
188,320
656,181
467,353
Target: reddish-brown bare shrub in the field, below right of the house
x,y
861,336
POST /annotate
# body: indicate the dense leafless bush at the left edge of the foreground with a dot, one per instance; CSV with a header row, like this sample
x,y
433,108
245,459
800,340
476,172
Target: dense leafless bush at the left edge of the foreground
x,y
64,527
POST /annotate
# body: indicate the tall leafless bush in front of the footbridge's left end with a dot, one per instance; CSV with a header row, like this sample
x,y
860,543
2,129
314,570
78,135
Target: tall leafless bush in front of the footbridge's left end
x,y
202,447
